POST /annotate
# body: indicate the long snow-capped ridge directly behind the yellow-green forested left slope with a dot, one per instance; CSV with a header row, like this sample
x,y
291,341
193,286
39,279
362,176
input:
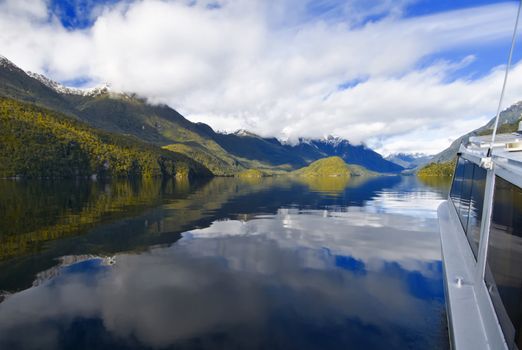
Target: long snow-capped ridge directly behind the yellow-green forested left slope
x,y
120,113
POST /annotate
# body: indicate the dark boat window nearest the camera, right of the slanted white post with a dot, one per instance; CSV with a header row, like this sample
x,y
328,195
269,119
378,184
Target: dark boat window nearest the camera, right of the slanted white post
x,y
504,270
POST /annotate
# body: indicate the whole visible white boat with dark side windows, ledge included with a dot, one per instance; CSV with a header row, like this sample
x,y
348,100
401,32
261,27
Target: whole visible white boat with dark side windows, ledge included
x,y
480,270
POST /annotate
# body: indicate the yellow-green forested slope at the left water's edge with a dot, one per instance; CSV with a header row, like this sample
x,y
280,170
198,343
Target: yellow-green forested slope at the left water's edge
x,y
37,142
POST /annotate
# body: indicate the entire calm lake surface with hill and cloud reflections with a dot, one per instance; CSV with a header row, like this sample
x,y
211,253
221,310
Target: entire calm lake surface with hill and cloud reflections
x,y
222,264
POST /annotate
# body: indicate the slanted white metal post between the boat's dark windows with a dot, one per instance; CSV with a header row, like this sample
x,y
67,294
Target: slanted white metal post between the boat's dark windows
x,y
487,210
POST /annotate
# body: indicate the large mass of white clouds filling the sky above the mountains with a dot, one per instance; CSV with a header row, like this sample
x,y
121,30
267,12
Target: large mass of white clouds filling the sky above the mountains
x,y
281,68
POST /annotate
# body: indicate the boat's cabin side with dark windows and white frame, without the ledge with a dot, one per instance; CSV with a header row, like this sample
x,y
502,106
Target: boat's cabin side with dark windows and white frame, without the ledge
x,y
486,196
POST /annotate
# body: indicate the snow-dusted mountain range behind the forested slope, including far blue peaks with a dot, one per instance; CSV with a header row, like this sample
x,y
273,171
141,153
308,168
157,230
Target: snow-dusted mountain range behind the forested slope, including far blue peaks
x,y
133,119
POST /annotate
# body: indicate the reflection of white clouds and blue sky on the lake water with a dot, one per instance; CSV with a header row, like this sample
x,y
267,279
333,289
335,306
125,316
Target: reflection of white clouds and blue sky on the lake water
x,y
300,279
